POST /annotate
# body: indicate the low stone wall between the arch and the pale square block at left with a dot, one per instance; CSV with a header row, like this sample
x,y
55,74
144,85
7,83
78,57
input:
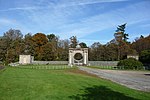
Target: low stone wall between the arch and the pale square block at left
x,y
51,62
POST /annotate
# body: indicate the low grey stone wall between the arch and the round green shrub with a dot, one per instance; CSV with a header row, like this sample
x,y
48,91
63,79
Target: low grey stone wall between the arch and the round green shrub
x,y
103,63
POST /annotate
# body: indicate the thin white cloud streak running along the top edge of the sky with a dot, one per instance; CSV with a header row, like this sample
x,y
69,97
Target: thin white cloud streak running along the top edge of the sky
x,y
62,3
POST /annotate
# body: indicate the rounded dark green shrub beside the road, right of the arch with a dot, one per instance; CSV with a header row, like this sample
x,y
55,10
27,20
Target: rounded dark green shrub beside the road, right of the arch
x,y
130,63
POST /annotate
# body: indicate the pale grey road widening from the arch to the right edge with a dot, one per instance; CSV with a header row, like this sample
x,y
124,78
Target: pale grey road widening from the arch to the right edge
x,y
139,80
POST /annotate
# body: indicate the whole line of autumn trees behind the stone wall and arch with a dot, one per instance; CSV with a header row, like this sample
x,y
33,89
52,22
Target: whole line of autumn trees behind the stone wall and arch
x,y
51,48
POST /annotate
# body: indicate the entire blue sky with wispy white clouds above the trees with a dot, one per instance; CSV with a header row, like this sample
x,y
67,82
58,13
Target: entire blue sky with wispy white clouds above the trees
x,y
90,20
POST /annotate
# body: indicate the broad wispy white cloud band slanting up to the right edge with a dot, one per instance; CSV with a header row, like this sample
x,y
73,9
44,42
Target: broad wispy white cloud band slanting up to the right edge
x,y
131,15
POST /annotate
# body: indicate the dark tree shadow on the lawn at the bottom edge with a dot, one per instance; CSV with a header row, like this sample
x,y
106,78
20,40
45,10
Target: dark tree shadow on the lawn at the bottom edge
x,y
100,93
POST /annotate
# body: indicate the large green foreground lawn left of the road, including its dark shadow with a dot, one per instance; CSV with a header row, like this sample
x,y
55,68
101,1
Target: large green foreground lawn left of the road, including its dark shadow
x,y
68,84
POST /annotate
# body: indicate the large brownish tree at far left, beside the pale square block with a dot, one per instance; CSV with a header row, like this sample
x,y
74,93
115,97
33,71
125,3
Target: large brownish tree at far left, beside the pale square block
x,y
12,45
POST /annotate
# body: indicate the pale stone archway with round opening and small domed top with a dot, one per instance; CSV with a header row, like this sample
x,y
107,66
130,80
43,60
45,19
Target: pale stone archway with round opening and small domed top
x,y
78,56
